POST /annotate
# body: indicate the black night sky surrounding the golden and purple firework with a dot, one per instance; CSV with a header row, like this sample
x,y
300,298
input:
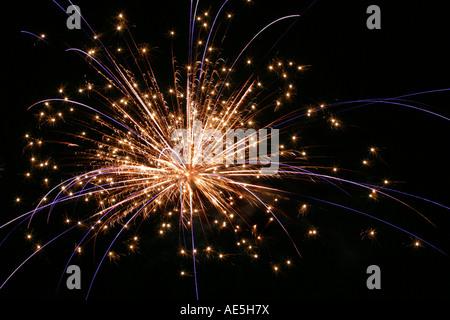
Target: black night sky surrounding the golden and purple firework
x,y
346,62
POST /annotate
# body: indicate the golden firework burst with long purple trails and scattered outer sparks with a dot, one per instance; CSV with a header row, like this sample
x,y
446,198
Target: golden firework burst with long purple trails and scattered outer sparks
x,y
115,135
